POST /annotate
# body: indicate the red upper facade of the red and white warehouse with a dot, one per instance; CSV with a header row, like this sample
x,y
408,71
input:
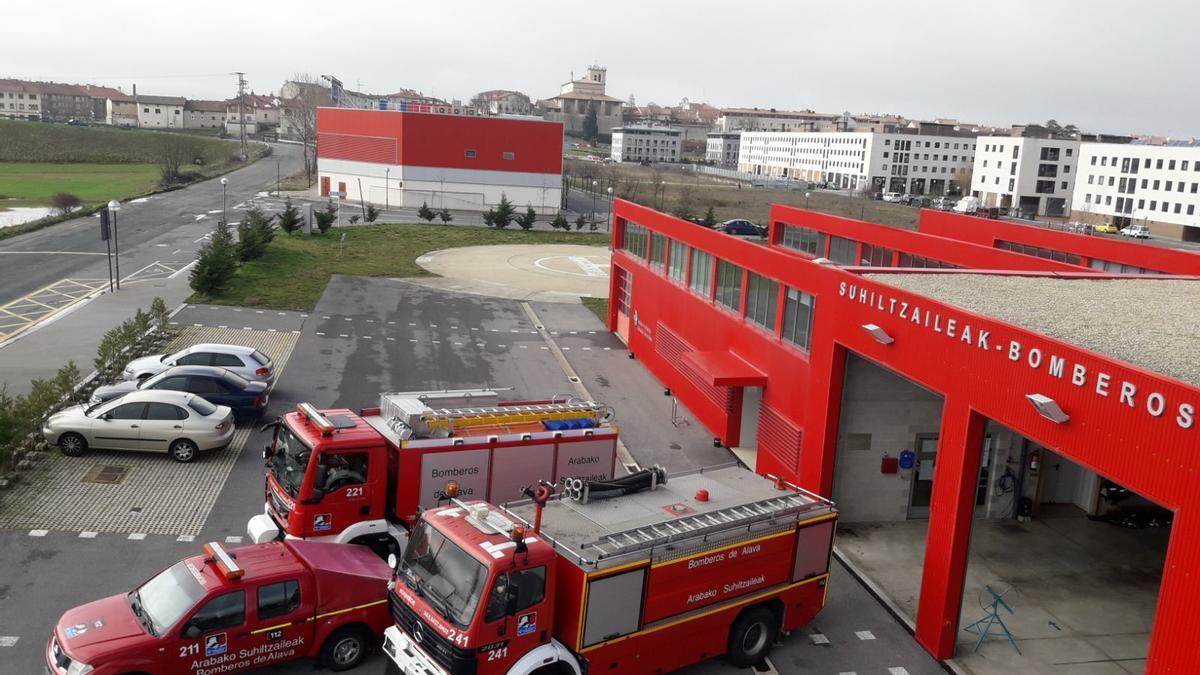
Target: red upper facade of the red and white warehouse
x,y
459,142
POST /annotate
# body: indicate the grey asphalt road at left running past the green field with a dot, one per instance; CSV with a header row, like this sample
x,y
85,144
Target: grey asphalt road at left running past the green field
x,y
74,250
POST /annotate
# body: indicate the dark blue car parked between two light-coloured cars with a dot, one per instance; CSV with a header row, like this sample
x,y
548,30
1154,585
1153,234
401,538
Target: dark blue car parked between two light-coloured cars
x,y
217,385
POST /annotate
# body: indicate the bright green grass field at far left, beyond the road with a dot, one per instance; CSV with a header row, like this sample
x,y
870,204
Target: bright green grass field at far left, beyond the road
x,y
35,183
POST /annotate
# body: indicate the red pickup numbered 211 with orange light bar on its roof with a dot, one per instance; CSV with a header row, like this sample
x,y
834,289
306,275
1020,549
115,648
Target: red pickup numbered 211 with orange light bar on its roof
x,y
226,612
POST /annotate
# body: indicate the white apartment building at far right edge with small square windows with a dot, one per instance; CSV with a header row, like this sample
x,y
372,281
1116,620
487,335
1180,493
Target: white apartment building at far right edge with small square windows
x,y
1153,186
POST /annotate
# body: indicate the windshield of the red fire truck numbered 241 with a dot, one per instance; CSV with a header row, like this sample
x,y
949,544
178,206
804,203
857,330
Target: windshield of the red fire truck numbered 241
x,y
446,576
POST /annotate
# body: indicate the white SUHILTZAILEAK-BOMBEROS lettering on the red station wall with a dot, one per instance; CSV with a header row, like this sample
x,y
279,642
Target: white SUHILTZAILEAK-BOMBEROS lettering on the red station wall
x,y
1101,384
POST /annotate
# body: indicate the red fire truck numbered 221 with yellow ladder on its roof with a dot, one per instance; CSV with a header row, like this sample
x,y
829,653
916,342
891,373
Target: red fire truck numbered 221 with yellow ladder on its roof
x,y
362,479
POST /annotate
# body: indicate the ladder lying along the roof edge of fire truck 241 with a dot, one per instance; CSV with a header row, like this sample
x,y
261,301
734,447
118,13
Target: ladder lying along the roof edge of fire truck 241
x,y
691,527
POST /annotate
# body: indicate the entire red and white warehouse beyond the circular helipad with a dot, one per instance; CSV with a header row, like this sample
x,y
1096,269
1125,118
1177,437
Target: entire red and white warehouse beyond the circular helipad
x,y
458,163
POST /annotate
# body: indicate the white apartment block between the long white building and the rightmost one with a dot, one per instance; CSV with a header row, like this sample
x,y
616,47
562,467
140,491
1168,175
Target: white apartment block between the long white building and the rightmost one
x,y
1029,177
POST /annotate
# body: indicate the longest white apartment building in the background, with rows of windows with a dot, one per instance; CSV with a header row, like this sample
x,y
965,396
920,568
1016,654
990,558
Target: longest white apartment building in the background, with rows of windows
x,y
899,163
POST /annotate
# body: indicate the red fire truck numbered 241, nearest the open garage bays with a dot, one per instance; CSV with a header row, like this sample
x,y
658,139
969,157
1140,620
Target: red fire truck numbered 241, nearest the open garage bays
x,y
628,576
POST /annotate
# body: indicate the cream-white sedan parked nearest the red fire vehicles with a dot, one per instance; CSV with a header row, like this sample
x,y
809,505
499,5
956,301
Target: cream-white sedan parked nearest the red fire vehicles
x,y
177,423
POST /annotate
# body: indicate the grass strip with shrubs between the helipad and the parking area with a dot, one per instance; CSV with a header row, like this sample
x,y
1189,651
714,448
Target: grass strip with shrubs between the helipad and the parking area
x,y
296,270
